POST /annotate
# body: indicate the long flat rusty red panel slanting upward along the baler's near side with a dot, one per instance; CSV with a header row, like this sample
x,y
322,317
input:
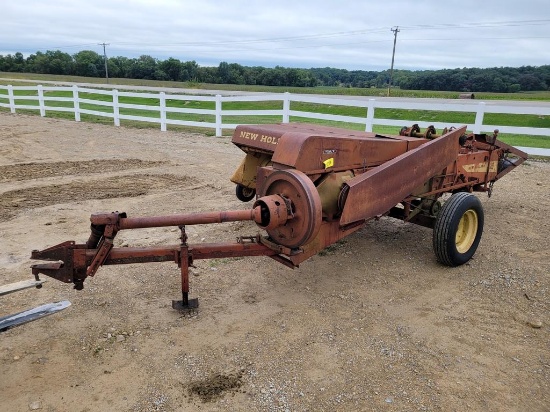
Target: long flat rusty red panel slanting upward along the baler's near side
x,y
378,190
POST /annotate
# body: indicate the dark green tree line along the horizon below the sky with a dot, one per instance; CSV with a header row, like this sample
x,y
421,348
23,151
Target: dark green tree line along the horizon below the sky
x,y
91,64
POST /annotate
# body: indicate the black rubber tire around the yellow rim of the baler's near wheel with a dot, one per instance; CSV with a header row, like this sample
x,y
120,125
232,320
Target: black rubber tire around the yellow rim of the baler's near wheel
x,y
446,227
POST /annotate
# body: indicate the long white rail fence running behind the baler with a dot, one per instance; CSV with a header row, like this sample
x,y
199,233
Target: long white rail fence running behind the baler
x,y
369,120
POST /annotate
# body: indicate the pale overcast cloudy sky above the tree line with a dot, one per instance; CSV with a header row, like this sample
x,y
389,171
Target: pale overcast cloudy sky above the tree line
x,y
347,34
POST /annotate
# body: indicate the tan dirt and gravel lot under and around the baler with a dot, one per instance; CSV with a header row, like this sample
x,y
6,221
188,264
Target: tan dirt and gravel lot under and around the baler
x,y
372,324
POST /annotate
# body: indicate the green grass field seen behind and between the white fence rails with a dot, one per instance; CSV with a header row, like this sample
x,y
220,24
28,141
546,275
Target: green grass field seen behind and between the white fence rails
x,y
407,116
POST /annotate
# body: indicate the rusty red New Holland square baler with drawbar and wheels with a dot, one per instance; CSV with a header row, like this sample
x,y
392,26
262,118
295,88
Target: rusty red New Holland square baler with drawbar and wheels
x,y
311,187
